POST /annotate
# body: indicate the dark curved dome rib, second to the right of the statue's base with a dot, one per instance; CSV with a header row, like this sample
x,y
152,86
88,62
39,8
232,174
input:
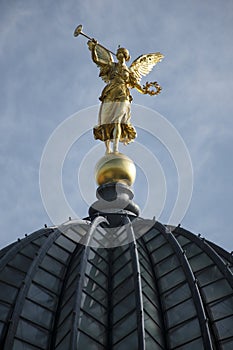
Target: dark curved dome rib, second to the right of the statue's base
x,y
203,320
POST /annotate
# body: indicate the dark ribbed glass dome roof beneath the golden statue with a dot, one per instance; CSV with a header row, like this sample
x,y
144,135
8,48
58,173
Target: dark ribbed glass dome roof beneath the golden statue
x,y
167,289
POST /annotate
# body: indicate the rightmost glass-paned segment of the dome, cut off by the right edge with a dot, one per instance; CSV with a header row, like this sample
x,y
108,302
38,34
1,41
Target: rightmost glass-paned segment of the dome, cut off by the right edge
x,y
215,284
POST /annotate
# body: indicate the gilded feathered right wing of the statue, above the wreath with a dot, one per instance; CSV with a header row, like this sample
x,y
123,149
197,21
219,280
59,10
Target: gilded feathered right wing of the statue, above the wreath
x,y
144,64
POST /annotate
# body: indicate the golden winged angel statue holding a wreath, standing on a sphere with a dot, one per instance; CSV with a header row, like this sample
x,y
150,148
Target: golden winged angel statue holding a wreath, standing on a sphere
x,y
114,114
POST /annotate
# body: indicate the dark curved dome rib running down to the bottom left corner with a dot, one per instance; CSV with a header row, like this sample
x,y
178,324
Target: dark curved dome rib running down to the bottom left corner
x,y
25,287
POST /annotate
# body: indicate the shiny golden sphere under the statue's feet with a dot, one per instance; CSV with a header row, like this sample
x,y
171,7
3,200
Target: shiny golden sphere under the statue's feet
x,y
115,167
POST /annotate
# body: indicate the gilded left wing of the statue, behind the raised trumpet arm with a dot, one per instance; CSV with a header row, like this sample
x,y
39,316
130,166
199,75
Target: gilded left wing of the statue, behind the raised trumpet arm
x,y
103,58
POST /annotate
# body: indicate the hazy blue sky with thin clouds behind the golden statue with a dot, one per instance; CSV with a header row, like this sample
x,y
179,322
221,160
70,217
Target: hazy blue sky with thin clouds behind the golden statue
x,y
47,75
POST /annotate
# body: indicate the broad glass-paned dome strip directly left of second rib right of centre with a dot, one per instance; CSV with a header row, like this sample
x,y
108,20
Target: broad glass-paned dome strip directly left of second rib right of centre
x,y
180,315
